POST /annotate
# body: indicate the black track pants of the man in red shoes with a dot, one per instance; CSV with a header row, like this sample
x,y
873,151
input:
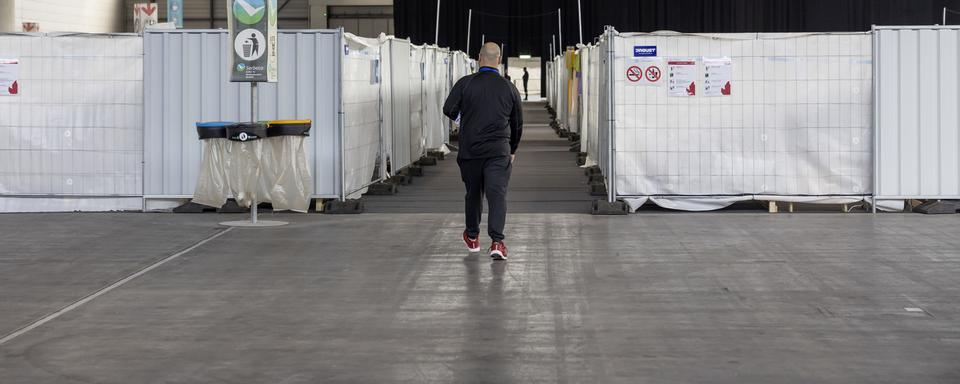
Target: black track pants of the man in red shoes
x,y
487,176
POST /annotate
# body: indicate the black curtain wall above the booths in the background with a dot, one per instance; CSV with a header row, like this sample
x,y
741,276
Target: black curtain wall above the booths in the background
x,y
526,33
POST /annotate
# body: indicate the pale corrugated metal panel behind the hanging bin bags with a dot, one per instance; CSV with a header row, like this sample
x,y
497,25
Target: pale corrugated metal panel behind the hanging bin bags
x,y
186,81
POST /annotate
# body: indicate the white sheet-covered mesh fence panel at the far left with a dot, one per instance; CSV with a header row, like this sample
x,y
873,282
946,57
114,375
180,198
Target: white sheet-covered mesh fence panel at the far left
x,y
72,138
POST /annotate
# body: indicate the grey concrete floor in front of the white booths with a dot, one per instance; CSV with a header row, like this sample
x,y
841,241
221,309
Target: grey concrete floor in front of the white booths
x,y
655,298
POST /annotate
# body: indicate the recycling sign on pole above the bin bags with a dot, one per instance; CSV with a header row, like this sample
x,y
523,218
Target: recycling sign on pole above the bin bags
x,y
253,33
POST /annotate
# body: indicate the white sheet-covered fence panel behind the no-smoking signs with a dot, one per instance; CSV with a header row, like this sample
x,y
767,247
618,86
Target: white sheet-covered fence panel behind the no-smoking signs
x,y
797,123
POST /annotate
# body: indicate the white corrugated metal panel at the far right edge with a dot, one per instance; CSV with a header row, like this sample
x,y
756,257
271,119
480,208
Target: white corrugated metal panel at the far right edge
x,y
918,112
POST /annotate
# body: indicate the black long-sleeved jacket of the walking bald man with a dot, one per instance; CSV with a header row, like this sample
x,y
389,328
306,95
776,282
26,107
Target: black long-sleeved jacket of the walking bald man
x,y
491,119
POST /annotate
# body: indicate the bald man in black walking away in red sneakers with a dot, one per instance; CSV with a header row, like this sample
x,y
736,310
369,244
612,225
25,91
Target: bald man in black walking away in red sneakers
x,y
491,123
